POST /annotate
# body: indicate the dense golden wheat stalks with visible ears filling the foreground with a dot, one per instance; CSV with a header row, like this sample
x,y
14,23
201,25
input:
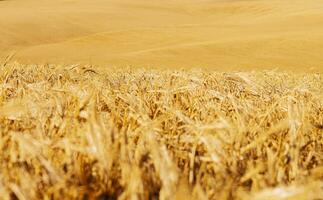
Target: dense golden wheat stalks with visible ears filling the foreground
x,y
75,133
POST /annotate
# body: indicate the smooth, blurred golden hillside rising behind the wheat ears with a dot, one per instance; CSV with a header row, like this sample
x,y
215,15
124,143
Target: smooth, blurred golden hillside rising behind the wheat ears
x,y
214,34
